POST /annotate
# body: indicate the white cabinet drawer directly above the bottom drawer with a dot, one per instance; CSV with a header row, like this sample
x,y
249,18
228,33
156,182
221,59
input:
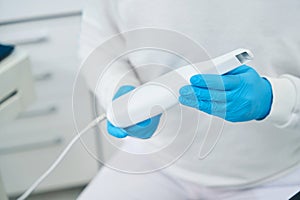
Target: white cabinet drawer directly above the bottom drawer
x,y
45,115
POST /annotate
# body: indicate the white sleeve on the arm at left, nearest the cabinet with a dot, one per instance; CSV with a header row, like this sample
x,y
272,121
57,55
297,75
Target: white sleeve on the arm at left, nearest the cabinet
x,y
100,22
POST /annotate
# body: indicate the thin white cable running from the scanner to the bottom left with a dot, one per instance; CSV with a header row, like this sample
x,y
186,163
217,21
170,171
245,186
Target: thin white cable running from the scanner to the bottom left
x,y
61,156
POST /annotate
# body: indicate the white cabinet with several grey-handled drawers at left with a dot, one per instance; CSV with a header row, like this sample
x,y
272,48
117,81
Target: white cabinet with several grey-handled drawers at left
x,y
30,144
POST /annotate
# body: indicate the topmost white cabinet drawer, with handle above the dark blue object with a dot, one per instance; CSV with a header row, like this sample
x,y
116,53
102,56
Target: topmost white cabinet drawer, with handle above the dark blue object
x,y
50,43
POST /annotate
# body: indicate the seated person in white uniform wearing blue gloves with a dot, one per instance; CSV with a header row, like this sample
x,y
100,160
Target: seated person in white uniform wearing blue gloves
x,y
258,153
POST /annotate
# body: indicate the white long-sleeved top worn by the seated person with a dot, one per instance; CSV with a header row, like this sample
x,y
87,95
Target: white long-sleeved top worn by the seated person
x,y
246,153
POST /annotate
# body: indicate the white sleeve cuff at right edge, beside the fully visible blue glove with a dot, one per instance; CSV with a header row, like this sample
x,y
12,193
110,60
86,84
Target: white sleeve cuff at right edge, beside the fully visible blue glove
x,y
285,111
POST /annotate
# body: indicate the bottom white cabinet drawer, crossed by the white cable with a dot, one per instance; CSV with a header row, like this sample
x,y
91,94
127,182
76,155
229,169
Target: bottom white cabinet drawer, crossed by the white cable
x,y
20,169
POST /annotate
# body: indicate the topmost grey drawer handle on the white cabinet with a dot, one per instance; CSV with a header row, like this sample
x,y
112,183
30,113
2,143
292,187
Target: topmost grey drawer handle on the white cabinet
x,y
26,37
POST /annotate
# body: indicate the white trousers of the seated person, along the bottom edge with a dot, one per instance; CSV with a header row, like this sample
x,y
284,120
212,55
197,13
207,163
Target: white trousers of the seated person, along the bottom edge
x,y
113,185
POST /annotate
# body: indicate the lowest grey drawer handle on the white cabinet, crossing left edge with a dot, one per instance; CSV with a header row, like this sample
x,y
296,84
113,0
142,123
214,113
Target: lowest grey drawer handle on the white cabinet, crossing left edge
x,y
31,145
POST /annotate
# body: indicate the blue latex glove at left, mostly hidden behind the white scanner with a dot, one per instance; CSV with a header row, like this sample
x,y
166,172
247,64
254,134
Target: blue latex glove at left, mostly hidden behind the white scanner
x,y
143,130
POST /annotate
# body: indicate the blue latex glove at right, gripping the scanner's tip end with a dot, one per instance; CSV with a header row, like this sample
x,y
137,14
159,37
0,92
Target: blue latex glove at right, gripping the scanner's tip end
x,y
240,95
